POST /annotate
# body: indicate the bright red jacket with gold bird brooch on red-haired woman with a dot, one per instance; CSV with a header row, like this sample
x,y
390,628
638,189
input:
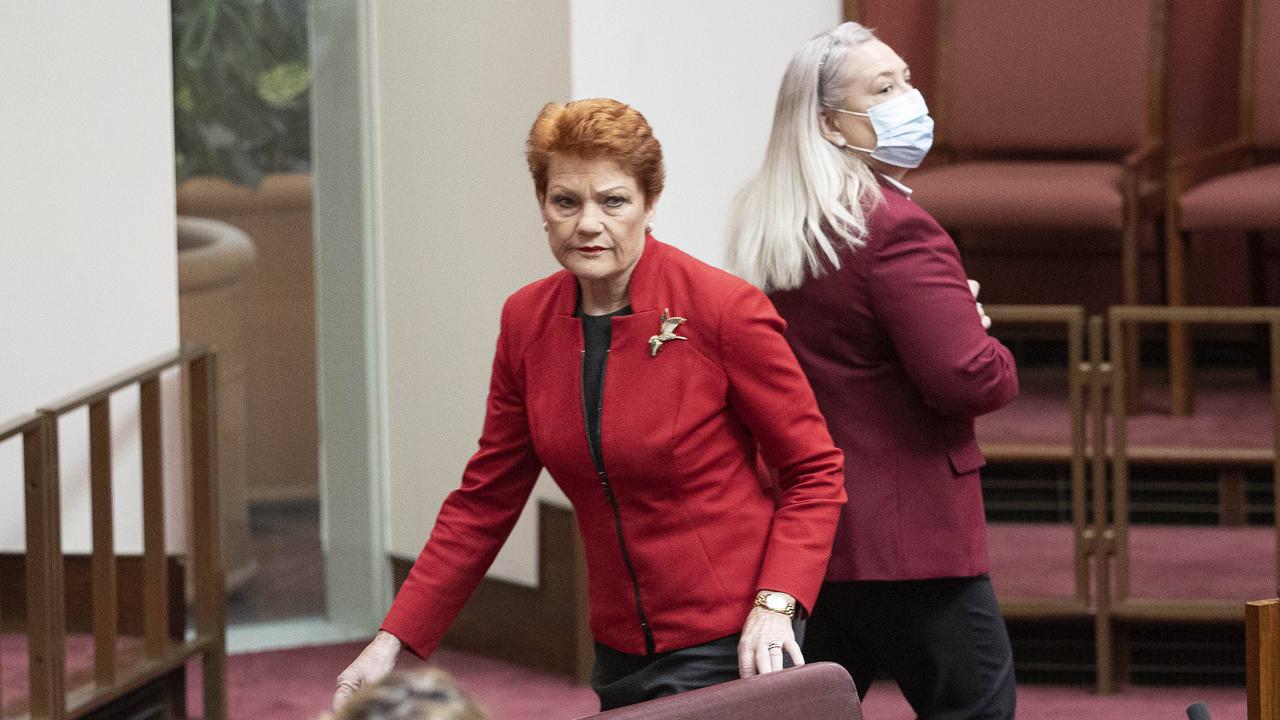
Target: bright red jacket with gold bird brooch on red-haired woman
x,y
679,435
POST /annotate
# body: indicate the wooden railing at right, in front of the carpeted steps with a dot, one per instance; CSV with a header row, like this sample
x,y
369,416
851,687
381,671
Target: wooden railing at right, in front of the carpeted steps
x,y
1098,389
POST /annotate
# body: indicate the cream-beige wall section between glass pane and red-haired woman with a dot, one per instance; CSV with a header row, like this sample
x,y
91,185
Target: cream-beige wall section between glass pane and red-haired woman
x,y
458,88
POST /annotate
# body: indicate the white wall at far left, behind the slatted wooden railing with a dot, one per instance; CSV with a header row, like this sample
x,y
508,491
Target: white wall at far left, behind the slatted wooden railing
x,y
88,256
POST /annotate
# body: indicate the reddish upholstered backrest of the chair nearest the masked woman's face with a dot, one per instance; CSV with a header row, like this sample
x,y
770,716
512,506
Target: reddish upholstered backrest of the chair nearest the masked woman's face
x,y
1064,76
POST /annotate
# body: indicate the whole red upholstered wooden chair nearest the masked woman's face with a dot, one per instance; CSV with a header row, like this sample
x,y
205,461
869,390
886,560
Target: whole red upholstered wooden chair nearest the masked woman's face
x,y
1049,117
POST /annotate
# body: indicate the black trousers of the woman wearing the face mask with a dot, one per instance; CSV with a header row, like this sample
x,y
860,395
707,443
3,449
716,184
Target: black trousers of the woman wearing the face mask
x,y
944,641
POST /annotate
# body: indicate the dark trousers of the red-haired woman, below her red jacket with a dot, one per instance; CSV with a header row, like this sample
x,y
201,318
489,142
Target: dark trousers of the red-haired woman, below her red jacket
x,y
623,680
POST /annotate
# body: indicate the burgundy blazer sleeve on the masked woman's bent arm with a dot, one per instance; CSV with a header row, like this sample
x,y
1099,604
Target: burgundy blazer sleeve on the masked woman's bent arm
x,y
921,294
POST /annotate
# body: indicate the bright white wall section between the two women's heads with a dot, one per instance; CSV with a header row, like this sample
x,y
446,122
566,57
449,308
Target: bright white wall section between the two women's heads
x,y
706,76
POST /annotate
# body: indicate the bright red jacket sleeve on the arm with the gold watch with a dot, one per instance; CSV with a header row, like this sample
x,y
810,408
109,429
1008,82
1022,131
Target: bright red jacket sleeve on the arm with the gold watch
x,y
771,395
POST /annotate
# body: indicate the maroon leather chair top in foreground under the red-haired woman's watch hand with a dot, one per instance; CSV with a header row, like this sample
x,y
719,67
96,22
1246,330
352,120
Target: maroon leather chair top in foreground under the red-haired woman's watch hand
x,y
820,691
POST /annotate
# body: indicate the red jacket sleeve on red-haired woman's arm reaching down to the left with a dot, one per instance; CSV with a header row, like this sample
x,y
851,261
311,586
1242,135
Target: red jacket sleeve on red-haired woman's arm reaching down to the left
x,y
476,520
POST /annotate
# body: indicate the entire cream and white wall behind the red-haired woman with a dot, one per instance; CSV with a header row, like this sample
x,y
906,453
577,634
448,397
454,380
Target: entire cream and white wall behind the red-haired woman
x,y
459,85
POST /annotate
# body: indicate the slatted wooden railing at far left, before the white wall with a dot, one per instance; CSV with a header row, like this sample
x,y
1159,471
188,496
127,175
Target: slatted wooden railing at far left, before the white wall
x,y
163,654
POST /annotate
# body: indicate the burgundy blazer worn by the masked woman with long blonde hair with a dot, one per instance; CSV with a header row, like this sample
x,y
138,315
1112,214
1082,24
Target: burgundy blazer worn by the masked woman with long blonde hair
x,y
902,366
